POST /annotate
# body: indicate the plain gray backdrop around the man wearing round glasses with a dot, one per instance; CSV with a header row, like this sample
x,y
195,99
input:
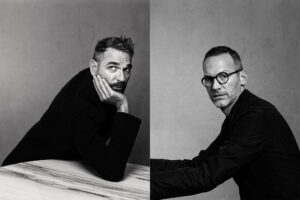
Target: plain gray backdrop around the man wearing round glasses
x,y
265,33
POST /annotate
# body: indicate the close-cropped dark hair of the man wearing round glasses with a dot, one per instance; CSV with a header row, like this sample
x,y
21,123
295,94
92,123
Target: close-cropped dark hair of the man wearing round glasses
x,y
215,51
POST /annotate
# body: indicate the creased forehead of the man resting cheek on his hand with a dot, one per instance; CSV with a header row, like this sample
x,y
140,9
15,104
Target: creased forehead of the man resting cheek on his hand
x,y
114,55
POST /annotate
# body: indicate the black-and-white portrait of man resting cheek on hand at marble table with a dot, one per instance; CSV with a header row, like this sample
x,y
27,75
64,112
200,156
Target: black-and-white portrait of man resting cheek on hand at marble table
x,y
74,99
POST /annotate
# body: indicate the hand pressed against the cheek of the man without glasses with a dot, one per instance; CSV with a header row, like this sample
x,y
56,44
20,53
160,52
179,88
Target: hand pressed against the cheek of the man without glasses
x,y
110,96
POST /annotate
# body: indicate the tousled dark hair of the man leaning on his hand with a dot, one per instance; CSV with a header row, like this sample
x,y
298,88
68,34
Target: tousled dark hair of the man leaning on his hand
x,y
121,43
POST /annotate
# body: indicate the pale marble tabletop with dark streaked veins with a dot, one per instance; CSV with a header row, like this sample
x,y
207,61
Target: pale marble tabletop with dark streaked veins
x,y
58,179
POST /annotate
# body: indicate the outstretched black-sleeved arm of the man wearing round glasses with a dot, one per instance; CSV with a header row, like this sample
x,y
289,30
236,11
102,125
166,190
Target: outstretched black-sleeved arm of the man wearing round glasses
x,y
213,166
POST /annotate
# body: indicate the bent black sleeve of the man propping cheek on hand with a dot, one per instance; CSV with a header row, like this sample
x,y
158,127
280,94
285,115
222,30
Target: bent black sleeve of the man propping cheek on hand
x,y
109,161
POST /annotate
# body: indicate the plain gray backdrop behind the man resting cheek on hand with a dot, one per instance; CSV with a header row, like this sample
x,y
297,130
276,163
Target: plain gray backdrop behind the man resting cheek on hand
x,y
45,43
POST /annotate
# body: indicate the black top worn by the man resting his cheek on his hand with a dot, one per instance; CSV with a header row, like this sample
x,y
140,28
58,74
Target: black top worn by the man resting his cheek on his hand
x,y
76,126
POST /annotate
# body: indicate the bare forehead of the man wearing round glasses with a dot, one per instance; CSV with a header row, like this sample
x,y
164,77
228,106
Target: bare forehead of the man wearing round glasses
x,y
220,63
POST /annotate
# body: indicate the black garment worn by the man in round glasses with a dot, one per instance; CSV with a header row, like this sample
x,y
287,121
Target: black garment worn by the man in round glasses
x,y
256,147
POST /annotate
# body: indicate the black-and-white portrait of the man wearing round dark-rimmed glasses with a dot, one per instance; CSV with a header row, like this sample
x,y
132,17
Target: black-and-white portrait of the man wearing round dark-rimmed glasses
x,y
225,99
